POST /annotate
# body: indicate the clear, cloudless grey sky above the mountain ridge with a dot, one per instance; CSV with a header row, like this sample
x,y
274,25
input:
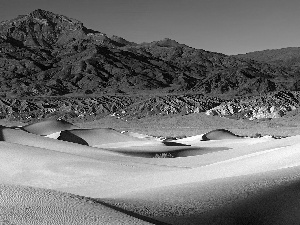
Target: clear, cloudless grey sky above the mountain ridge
x,y
225,26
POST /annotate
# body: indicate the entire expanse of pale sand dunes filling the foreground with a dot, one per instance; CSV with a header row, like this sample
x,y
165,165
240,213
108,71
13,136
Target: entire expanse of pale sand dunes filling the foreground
x,y
53,172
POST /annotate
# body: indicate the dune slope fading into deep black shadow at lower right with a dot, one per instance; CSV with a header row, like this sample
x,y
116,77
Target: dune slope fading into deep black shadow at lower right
x,y
260,199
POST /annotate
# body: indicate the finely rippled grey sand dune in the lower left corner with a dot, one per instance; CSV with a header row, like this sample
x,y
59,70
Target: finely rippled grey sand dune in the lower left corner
x,y
26,205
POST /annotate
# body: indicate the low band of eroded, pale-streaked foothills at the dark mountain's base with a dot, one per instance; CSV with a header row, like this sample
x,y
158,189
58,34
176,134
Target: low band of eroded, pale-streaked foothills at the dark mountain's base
x,y
272,105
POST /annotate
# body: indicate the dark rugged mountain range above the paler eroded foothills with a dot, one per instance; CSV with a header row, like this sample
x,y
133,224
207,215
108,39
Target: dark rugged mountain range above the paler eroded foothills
x,y
45,54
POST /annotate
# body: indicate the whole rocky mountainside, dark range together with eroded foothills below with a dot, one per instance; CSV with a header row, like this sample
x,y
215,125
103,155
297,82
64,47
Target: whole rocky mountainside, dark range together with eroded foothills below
x,y
52,65
